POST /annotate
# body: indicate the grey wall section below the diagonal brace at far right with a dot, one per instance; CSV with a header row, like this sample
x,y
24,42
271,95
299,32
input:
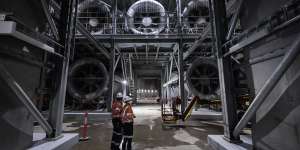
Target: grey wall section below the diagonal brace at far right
x,y
277,124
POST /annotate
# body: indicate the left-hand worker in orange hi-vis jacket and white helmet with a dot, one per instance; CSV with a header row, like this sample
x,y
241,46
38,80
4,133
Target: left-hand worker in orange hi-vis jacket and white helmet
x,y
117,108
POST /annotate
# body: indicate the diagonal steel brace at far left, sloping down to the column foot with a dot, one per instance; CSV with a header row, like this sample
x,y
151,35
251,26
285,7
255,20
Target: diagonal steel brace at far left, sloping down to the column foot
x,y
24,98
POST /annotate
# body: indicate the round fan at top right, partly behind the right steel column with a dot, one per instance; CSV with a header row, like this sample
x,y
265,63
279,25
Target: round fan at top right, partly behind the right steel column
x,y
195,13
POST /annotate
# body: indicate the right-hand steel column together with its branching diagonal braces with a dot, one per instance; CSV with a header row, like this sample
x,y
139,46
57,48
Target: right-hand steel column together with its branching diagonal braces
x,y
226,45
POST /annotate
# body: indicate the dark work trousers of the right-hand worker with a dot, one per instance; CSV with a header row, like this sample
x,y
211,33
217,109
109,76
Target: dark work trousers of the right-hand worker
x,y
127,136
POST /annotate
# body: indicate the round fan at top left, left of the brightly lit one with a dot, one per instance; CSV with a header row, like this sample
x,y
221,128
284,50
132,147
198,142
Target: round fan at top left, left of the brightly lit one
x,y
94,14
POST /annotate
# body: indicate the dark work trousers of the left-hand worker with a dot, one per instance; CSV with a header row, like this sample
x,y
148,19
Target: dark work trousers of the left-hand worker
x,y
117,134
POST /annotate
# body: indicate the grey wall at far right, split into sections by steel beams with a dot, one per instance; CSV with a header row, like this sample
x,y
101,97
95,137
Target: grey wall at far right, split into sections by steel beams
x,y
277,123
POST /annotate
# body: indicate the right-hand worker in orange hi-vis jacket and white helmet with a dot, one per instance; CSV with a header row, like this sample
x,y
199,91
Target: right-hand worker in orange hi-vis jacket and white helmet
x,y
127,121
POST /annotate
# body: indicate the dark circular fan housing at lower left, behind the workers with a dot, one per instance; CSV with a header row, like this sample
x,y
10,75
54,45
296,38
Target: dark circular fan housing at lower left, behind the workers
x,y
88,79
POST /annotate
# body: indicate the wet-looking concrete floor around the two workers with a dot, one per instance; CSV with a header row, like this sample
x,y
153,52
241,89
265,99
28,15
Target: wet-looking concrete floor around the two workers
x,y
148,132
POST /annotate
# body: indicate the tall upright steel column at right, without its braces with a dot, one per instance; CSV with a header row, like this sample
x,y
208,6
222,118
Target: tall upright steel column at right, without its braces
x,y
225,74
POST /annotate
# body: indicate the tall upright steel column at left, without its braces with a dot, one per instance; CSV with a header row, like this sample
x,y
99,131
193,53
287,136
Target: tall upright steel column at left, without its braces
x,y
66,34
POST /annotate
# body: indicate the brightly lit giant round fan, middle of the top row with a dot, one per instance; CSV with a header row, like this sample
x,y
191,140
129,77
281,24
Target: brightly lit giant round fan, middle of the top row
x,y
146,17
